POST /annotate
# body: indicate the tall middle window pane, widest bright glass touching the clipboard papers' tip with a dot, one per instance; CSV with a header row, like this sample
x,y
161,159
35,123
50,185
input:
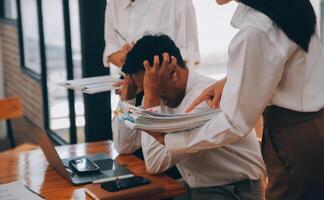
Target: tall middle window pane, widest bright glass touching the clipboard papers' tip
x,y
56,68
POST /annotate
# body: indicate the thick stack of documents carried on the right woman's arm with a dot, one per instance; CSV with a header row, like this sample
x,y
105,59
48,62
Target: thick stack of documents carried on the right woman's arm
x,y
138,118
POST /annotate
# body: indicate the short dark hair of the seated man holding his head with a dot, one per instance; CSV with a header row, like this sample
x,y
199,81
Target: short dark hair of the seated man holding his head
x,y
146,48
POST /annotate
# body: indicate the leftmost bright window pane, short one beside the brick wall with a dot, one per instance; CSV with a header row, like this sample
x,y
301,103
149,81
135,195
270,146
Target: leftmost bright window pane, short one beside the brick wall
x,y
30,36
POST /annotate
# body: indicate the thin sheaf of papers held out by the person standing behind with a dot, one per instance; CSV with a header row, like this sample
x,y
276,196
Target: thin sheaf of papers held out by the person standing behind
x,y
92,85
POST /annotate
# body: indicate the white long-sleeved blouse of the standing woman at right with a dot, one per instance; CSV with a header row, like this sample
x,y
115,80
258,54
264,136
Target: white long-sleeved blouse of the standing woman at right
x,y
265,68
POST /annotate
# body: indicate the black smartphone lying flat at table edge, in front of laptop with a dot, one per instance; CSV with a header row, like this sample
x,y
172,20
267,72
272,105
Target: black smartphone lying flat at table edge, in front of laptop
x,y
121,184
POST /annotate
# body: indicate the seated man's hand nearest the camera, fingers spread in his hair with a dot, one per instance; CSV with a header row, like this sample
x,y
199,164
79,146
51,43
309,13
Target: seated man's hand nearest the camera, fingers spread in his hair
x,y
155,79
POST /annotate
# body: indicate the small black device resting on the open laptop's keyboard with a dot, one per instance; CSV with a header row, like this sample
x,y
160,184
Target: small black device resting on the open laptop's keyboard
x,y
83,166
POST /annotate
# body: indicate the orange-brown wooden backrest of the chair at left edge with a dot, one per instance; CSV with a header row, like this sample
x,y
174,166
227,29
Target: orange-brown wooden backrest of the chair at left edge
x,y
11,108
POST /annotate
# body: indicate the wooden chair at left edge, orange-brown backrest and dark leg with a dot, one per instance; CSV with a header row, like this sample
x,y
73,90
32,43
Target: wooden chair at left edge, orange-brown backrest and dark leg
x,y
11,108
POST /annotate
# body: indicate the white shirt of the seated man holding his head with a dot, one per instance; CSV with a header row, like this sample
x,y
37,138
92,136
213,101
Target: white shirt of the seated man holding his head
x,y
215,167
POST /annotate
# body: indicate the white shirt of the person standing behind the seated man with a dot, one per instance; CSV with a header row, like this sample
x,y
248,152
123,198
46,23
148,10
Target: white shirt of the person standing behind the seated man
x,y
175,18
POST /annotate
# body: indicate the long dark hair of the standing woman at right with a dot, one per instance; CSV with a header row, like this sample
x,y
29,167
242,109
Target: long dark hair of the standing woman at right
x,y
295,17
